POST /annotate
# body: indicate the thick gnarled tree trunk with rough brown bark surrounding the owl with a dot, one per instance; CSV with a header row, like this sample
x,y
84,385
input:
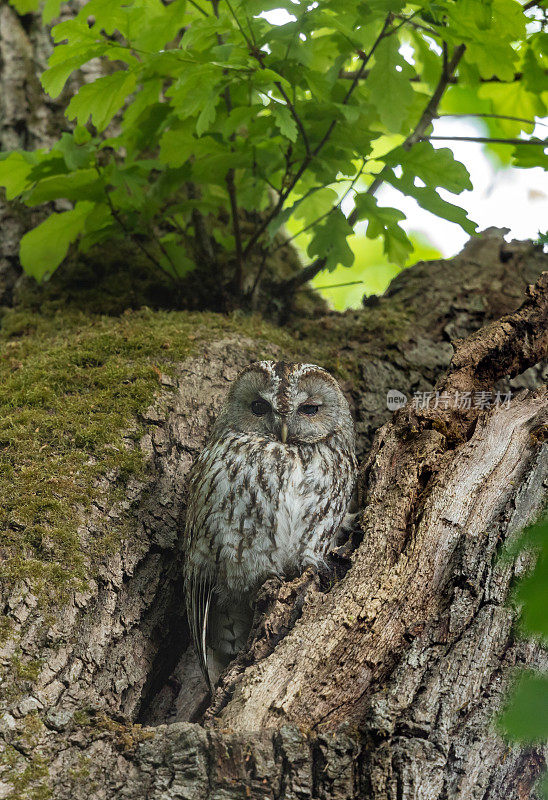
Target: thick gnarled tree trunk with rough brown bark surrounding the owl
x,y
380,680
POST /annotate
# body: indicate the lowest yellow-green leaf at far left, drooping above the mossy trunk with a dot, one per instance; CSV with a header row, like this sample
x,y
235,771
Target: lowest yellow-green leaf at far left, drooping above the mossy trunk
x,y
43,248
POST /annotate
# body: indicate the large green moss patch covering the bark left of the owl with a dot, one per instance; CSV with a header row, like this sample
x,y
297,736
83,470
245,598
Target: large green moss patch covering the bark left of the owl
x,y
71,386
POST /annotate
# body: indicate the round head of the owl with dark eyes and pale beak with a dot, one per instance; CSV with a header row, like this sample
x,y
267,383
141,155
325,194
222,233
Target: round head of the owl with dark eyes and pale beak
x,y
287,402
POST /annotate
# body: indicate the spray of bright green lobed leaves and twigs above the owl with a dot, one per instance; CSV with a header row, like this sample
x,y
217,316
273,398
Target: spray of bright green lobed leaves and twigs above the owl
x,y
228,124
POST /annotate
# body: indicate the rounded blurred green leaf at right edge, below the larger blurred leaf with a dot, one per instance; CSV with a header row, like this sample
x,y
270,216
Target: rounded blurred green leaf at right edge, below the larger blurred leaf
x,y
526,717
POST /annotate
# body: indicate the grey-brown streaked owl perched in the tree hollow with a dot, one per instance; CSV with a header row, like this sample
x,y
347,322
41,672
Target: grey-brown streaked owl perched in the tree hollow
x,y
267,495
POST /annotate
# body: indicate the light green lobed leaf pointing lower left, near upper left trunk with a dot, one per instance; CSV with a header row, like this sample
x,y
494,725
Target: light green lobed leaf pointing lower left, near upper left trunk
x,y
102,99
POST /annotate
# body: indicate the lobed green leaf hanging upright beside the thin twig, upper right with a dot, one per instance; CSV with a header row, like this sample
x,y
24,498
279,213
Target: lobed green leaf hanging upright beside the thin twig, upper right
x,y
390,90
